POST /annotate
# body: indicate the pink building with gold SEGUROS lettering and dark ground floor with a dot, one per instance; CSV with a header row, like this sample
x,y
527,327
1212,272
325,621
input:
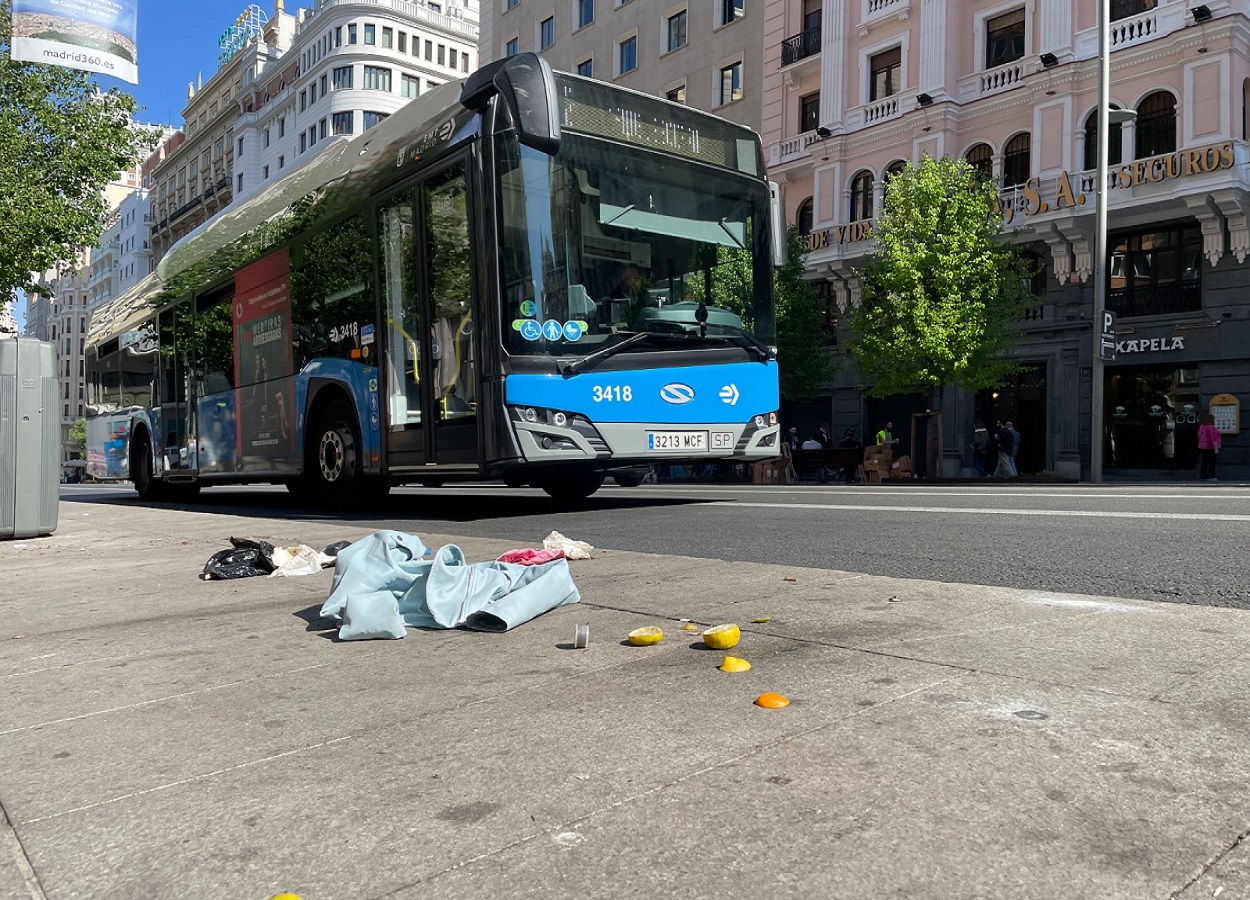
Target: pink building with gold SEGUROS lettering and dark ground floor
x,y
856,89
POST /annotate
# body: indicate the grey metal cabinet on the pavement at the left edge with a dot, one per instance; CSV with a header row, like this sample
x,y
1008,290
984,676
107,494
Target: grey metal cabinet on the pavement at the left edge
x,y
31,438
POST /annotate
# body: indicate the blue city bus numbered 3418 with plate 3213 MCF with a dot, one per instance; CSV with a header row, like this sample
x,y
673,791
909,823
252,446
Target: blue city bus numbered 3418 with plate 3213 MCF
x,y
526,276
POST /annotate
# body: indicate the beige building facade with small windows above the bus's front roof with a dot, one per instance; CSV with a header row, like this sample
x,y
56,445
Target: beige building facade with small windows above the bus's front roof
x,y
709,54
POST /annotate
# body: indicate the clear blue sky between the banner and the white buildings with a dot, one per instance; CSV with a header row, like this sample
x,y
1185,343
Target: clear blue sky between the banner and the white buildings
x,y
178,43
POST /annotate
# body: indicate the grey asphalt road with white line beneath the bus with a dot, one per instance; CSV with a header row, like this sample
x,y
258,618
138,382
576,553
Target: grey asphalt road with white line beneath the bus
x,y
1146,542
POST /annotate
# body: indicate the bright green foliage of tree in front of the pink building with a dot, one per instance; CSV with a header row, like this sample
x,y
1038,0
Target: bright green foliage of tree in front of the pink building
x,y
942,297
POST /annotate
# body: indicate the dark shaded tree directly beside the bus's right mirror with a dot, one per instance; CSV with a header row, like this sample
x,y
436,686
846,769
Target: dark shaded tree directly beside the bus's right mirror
x,y
804,361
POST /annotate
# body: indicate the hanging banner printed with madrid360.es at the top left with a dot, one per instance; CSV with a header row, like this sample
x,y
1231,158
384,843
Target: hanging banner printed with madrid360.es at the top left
x,y
93,36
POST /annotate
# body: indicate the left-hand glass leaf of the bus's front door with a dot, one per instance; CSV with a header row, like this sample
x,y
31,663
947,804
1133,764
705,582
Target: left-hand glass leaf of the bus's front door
x,y
403,319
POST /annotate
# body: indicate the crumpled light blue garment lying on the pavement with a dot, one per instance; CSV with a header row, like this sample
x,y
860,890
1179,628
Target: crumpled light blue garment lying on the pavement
x,y
384,583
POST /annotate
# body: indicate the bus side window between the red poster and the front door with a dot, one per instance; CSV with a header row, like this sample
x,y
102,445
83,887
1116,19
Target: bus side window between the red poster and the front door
x,y
332,294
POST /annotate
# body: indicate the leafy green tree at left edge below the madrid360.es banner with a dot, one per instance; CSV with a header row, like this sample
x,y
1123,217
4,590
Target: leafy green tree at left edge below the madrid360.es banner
x,y
61,143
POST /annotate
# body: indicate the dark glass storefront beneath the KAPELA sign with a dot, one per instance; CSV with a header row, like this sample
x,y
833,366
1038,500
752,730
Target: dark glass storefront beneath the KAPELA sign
x,y
1152,418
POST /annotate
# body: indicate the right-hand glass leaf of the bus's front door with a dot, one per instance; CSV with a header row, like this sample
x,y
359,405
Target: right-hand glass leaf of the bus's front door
x,y
452,364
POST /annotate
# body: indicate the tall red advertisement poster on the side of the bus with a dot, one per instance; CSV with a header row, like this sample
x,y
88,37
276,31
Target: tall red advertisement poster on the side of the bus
x,y
264,364
